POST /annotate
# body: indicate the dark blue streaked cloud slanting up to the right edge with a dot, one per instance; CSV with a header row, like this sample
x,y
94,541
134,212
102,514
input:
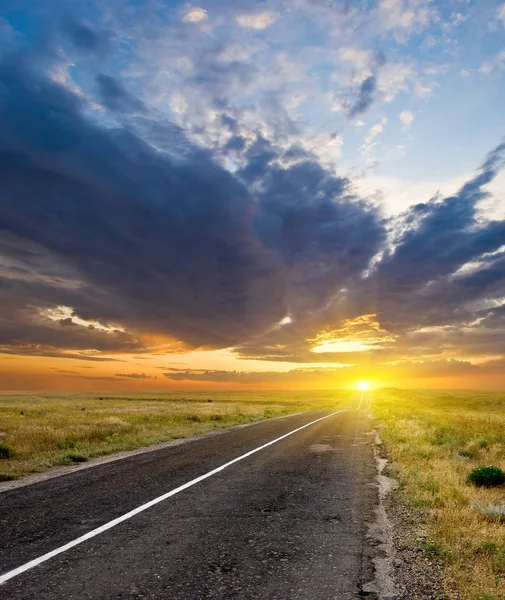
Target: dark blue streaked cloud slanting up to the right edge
x,y
417,281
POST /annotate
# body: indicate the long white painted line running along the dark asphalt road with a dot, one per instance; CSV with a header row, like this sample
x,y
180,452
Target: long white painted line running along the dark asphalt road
x,y
41,559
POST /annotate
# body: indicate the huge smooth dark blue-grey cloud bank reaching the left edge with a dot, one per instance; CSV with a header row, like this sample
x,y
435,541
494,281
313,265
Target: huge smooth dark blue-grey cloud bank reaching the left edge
x,y
162,245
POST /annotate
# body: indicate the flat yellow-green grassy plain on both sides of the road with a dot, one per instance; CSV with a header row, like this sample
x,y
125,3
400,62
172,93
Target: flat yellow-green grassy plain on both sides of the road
x,y
432,438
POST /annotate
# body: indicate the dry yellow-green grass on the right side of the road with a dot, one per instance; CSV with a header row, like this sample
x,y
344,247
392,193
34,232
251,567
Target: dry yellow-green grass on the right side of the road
x,y
434,439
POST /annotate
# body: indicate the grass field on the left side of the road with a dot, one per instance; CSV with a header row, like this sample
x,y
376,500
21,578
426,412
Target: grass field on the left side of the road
x,y
40,431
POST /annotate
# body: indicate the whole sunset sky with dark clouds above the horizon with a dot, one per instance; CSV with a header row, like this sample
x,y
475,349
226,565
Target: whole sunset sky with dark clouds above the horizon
x,y
288,194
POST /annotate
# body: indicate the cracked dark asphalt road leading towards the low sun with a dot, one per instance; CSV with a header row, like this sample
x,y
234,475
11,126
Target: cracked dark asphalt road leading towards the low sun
x,y
288,522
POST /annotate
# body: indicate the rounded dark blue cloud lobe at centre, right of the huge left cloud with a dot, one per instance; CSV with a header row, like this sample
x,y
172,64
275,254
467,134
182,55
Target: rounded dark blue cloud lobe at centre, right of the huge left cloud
x,y
326,236
